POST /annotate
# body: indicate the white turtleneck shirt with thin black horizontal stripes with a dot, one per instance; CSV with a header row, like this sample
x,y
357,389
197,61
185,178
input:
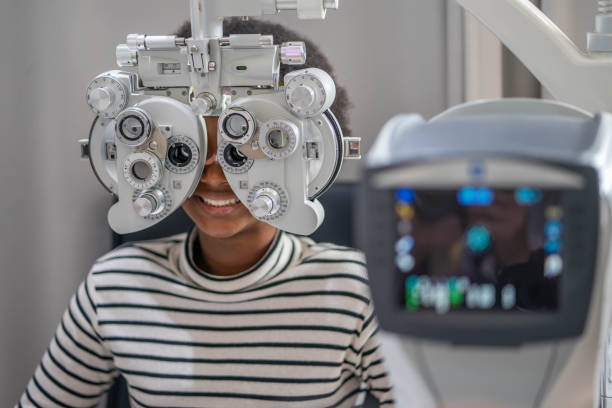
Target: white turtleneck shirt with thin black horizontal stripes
x,y
296,330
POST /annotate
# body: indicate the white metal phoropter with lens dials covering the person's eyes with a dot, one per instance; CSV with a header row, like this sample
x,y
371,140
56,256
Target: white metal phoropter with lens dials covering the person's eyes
x,y
279,145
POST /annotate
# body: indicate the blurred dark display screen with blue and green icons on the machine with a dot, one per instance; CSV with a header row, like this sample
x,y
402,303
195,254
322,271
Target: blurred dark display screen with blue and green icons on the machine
x,y
479,248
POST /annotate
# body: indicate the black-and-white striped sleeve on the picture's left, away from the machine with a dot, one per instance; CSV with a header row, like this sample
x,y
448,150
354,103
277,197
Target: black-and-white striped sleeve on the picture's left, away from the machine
x,y
77,369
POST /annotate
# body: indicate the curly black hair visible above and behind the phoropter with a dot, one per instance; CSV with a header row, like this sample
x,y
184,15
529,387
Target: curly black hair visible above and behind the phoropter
x,y
315,57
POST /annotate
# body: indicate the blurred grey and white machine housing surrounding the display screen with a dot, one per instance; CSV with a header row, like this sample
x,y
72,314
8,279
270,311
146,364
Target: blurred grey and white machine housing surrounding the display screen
x,y
496,359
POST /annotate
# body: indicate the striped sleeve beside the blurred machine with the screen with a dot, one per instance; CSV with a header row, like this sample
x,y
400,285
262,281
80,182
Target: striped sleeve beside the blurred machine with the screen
x,y
372,364
